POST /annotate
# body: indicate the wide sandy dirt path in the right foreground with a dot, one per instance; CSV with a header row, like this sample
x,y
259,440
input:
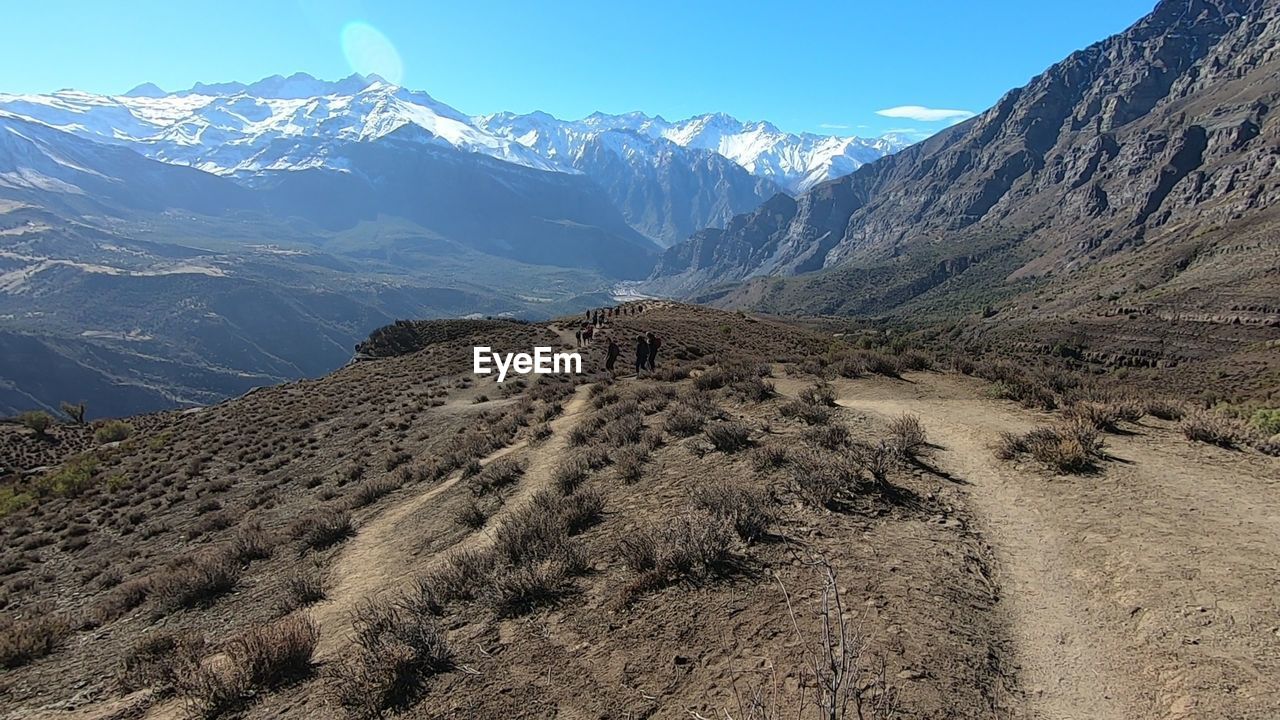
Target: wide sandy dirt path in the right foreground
x,y
1149,590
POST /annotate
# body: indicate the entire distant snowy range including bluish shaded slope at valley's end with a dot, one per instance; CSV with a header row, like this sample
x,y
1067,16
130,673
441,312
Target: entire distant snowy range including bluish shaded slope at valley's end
x,y
668,180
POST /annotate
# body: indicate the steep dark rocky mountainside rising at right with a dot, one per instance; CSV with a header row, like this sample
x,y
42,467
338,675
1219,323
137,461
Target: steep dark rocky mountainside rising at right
x,y
1116,156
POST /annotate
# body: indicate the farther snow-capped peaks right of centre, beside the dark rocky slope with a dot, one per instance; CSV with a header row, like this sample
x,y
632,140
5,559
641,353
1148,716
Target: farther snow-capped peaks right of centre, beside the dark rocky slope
x,y
794,162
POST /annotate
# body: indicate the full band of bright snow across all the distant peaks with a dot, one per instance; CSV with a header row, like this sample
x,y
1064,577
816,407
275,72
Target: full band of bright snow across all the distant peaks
x,y
282,124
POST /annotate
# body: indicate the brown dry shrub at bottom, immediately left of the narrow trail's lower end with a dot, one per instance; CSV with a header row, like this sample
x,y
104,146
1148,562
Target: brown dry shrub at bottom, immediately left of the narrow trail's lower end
x,y
263,658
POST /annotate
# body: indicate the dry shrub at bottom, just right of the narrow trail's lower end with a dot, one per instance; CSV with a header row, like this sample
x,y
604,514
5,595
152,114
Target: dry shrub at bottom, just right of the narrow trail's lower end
x,y
396,651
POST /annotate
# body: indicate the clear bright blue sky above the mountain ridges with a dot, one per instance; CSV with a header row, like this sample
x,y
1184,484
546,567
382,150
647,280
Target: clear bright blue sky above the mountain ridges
x,y
820,67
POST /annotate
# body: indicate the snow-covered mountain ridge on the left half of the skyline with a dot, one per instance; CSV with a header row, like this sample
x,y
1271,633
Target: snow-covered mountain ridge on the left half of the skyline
x,y
273,125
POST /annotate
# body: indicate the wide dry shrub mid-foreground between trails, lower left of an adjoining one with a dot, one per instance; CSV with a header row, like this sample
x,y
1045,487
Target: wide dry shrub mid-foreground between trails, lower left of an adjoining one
x,y
691,546
